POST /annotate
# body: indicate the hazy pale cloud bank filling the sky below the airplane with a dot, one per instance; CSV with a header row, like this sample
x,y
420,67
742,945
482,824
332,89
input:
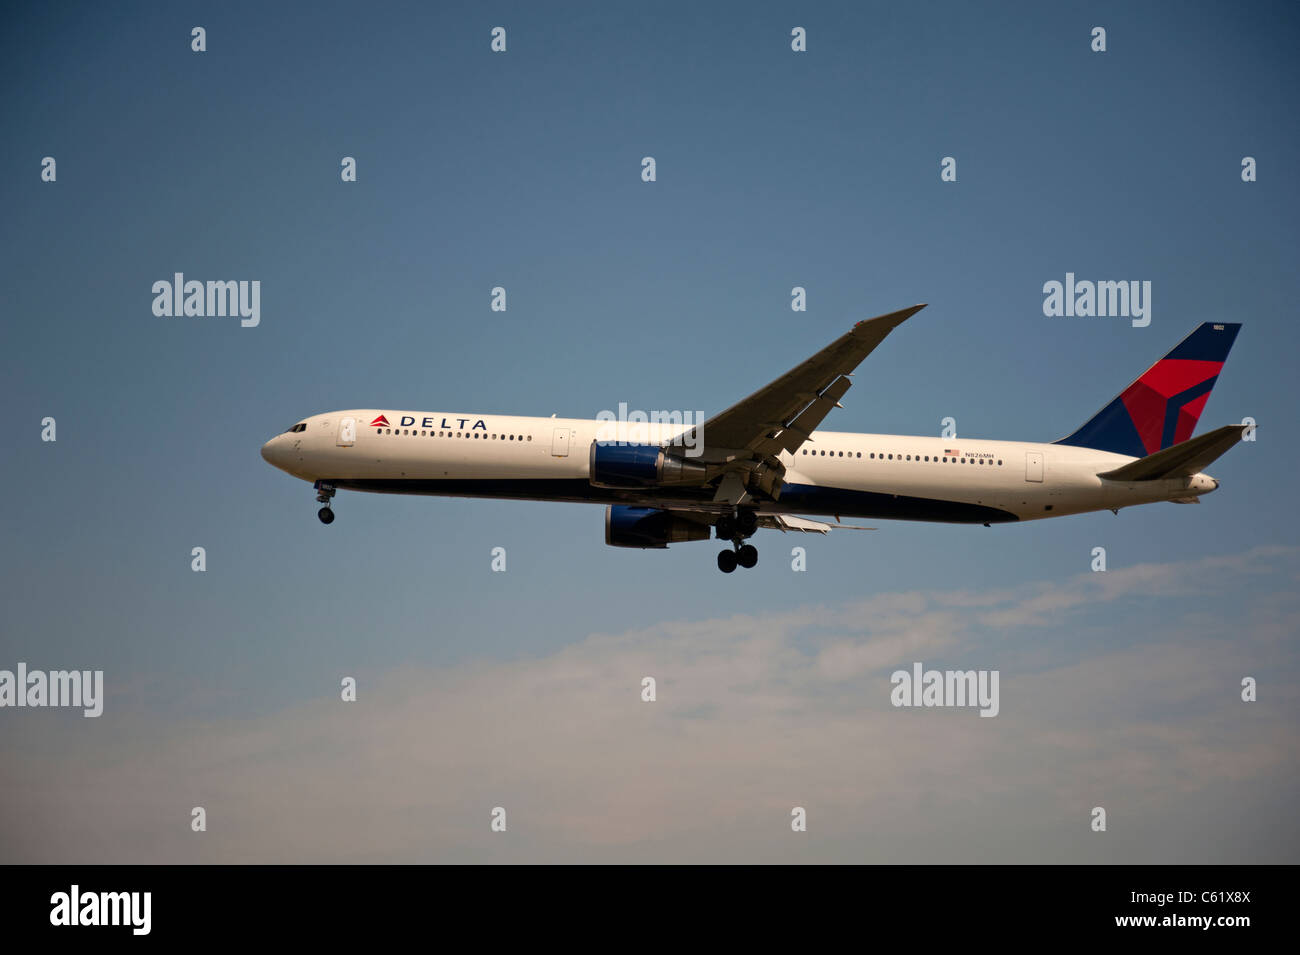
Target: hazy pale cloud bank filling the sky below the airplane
x,y
755,715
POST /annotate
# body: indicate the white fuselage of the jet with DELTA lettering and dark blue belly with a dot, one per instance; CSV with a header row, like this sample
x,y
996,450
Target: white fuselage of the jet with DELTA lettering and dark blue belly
x,y
835,474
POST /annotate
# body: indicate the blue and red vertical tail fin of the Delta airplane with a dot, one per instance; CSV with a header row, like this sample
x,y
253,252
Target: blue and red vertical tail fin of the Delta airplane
x,y
1162,409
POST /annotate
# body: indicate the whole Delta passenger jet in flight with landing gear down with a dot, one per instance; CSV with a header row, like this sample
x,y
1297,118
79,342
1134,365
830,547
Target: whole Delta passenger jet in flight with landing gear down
x,y
762,463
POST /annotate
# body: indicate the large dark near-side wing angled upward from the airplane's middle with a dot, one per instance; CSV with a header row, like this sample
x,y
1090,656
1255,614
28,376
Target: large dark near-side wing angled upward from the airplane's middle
x,y
782,415
